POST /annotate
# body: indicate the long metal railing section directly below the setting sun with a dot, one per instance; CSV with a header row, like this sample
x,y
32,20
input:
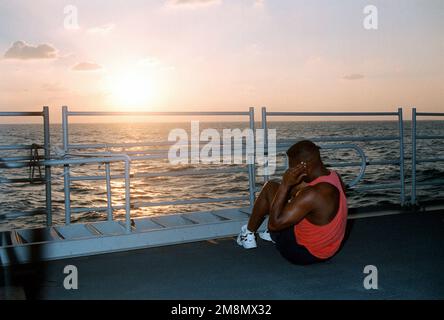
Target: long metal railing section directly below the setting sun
x,y
142,155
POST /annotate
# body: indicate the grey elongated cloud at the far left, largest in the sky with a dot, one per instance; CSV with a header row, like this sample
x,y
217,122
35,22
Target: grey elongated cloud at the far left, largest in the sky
x,y
22,51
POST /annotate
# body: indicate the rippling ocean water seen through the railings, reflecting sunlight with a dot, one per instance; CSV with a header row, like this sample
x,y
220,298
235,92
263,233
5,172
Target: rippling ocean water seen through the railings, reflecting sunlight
x,y
23,204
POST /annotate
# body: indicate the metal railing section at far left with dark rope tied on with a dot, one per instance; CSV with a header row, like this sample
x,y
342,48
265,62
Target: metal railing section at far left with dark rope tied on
x,y
24,161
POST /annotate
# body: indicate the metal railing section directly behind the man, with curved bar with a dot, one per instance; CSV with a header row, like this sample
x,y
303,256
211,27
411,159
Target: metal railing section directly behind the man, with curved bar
x,y
281,146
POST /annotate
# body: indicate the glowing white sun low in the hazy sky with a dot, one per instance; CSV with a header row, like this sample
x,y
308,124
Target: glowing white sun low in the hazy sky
x,y
133,90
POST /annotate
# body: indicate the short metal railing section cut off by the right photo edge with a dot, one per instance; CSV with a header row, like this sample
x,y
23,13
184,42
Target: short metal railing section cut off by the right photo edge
x,y
415,160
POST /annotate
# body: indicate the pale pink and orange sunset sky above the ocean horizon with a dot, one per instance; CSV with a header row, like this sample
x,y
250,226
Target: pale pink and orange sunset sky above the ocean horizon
x,y
184,55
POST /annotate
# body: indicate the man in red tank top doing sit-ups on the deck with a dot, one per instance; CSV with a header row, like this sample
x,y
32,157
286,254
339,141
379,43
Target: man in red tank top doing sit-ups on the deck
x,y
307,211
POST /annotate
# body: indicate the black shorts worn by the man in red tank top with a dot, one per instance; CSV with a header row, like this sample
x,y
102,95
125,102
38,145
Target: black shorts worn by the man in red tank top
x,y
288,247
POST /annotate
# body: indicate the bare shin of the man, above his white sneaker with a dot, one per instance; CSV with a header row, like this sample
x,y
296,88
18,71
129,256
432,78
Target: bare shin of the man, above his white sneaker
x,y
262,205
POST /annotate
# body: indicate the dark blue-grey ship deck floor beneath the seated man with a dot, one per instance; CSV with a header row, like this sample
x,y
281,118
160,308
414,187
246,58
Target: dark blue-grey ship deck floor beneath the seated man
x,y
407,249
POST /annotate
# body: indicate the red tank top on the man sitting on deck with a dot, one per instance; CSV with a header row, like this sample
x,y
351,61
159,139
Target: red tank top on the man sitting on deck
x,y
324,241
